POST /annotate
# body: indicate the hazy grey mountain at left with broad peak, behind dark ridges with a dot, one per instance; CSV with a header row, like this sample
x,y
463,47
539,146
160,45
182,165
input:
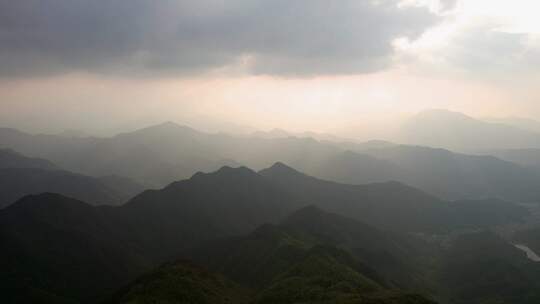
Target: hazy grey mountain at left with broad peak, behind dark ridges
x,y
153,156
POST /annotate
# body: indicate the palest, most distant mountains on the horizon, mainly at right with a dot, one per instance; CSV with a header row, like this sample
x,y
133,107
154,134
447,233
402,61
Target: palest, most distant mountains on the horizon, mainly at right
x,y
450,130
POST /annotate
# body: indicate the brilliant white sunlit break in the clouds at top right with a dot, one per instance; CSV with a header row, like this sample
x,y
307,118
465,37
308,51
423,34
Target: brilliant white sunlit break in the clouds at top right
x,y
490,17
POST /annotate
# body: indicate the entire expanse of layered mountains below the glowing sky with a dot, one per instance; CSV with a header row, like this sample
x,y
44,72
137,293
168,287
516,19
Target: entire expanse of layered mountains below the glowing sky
x,y
264,218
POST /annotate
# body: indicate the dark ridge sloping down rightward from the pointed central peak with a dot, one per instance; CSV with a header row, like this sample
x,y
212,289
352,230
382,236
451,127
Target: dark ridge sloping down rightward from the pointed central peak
x,y
411,209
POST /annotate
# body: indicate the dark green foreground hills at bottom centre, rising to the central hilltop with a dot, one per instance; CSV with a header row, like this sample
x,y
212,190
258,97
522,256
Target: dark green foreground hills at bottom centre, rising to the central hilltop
x,y
274,264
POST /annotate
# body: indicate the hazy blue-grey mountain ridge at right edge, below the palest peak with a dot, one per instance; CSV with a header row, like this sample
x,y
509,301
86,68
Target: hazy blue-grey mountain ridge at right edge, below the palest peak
x,y
460,176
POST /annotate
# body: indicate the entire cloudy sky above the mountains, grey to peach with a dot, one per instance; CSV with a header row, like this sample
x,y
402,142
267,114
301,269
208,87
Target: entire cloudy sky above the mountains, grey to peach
x,y
345,67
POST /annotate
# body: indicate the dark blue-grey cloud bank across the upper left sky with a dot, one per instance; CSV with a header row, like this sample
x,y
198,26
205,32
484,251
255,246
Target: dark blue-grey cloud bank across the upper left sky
x,y
280,37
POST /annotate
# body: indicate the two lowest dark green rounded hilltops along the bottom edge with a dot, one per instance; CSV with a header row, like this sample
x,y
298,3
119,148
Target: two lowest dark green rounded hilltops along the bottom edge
x,y
321,275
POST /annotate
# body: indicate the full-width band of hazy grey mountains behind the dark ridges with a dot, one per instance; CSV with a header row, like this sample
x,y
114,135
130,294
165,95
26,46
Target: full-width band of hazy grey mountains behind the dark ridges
x,y
158,155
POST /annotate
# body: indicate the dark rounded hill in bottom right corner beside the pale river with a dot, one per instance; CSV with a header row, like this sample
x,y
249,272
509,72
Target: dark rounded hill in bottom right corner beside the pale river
x,y
483,268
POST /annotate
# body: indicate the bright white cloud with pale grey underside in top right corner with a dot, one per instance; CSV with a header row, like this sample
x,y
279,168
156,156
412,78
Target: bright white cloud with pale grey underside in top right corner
x,y
480,39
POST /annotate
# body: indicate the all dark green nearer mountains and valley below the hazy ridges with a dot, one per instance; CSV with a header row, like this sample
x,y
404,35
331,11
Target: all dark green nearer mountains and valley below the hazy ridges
x,y
58,249
